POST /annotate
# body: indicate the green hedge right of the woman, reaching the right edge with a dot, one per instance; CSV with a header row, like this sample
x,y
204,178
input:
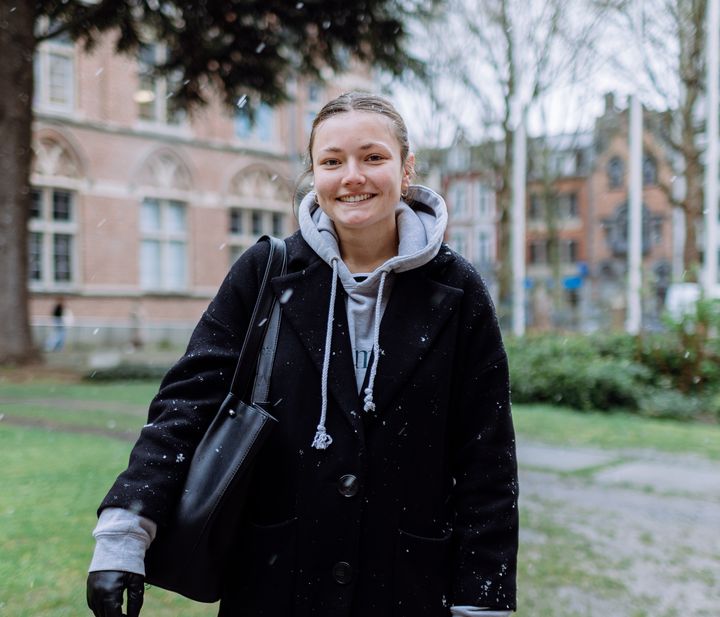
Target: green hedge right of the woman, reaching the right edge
x,y
673,374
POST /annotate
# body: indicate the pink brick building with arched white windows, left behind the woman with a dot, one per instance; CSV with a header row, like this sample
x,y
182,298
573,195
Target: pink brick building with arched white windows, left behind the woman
x,y
138,210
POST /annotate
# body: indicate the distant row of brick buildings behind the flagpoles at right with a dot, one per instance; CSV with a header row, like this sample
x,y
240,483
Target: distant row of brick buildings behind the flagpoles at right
x,y
576,220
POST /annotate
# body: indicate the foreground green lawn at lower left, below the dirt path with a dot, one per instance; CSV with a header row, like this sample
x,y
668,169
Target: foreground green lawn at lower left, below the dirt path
x,y
52,484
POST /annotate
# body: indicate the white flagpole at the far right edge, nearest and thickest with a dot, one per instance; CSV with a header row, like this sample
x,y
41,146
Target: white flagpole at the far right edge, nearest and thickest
x,y
711,167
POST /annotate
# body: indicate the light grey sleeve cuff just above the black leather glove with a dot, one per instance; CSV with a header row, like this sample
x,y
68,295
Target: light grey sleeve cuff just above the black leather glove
x,y
121,539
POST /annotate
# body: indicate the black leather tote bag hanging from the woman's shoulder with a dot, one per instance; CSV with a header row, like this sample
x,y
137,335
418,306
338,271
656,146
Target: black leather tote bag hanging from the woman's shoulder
x,y
190,555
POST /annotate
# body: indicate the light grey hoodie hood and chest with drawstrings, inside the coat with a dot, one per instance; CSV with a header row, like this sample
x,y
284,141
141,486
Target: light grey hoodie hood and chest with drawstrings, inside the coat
x,y
421,227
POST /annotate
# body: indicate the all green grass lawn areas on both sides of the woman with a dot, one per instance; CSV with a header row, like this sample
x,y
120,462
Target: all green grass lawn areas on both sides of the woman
x,y
53,480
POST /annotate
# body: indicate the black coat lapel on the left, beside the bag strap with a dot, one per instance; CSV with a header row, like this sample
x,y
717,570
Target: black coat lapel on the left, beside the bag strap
x,y
305,297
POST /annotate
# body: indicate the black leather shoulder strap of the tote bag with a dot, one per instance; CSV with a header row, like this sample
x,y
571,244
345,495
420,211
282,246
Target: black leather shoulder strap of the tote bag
x,y
263,314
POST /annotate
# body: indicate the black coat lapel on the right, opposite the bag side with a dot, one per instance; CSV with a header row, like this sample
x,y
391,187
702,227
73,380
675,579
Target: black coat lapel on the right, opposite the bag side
x,y
416,313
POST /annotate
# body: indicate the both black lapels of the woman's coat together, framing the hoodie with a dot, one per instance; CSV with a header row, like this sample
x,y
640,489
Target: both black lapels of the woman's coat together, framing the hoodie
x,y
417,311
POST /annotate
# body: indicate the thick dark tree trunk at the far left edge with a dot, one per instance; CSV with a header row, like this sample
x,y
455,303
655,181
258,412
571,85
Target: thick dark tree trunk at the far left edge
x,y
17,46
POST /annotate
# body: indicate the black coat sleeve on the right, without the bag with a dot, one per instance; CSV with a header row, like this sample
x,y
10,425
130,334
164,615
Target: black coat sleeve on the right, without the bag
x,y
485,533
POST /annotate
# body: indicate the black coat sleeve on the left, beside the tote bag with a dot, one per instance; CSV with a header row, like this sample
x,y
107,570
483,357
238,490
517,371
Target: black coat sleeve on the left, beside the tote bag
x,y
189,396
